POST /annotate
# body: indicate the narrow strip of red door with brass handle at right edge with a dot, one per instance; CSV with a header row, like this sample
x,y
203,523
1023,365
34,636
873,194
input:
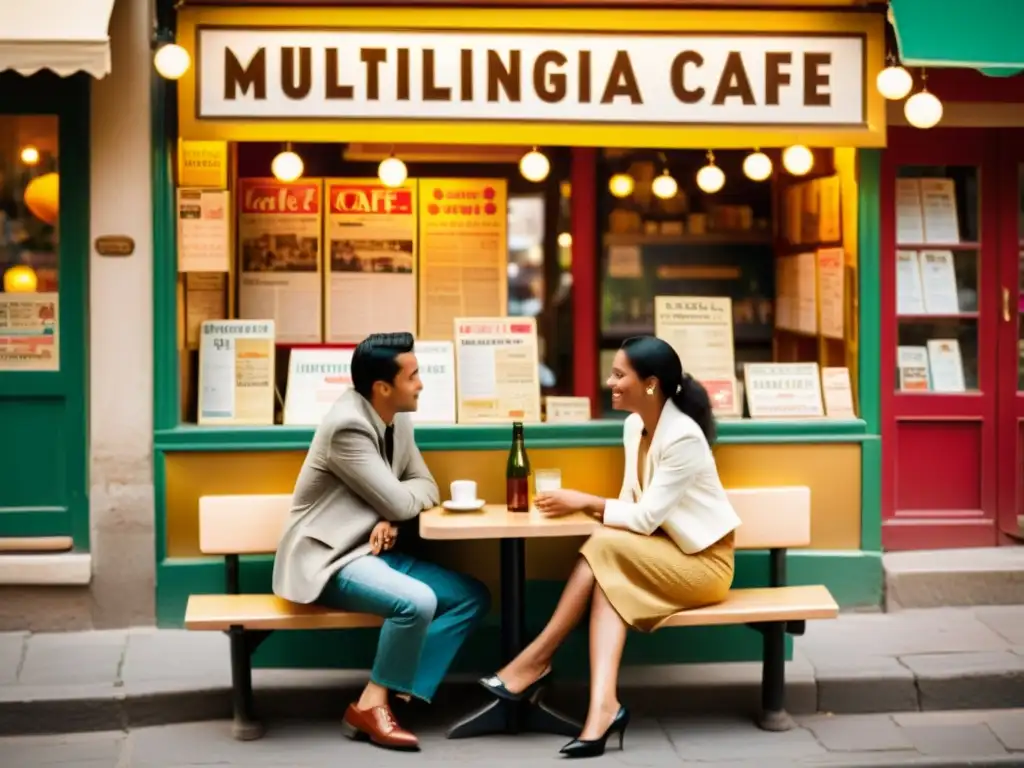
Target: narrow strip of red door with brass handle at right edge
x,y
1010,350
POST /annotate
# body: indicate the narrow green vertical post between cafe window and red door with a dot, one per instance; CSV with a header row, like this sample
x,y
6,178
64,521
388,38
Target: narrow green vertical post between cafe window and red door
x,y
870,362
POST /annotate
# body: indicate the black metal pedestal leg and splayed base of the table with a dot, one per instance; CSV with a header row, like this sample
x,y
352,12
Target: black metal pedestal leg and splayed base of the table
x,y
502,716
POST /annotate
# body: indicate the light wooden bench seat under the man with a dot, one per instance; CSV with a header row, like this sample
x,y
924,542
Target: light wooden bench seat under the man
x,y
221,613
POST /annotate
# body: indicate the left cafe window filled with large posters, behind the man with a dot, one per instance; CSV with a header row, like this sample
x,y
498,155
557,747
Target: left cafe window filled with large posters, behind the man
x,y
335,255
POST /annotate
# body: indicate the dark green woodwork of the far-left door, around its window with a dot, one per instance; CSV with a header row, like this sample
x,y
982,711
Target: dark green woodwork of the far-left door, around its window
x,y
44,417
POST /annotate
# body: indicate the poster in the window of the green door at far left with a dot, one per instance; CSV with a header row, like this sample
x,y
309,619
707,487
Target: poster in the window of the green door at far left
x,y
30,336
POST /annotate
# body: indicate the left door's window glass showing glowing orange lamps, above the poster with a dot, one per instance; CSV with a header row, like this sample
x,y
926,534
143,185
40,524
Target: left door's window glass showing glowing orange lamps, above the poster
x,y
29,204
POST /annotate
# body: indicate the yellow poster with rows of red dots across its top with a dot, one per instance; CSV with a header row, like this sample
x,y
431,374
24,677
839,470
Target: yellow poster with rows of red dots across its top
x,y
463,253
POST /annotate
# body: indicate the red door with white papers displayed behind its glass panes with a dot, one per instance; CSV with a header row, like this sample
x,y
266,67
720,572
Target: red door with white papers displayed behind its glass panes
x,y
941,308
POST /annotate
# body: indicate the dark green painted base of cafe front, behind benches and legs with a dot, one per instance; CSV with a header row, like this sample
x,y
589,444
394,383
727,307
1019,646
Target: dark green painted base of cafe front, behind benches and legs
x,y
855,578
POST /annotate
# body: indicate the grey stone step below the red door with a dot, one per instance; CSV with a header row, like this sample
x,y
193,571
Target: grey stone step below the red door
x,y
933,579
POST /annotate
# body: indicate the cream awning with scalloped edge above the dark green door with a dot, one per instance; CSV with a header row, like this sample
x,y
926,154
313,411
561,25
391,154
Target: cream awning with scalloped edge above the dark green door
x,y
65,36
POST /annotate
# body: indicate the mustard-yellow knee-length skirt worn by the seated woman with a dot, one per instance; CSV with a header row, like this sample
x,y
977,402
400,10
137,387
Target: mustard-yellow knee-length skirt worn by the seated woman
x,y
649,578
